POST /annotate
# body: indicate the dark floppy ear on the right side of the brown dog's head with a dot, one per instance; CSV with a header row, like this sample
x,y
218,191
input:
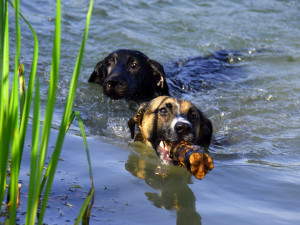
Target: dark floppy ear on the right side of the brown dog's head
x,y
206,130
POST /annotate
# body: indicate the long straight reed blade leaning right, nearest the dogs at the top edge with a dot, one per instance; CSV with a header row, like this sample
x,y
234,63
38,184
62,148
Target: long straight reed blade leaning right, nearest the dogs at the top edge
x,y
67,113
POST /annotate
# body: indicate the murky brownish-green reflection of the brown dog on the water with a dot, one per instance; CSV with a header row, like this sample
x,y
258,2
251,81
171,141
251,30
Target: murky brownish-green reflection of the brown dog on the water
x,y
171,183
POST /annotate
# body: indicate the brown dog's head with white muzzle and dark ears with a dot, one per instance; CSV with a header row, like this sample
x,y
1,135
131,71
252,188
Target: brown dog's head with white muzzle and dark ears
x,y
170,120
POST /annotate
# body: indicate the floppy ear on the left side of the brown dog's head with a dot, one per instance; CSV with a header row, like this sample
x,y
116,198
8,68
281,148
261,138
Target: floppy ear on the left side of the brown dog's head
x,y
137,119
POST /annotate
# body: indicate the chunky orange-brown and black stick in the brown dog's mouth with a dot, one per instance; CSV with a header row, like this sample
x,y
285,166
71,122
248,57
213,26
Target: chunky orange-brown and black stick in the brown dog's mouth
x,y
188,156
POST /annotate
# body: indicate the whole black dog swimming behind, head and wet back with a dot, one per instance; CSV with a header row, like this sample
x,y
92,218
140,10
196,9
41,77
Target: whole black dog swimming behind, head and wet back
x,y
130,74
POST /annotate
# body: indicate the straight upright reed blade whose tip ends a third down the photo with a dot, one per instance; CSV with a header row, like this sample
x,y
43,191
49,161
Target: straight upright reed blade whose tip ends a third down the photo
x,y
33,186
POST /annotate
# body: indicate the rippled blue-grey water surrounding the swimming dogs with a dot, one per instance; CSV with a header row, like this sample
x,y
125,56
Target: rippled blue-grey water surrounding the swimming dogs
x,y
254,108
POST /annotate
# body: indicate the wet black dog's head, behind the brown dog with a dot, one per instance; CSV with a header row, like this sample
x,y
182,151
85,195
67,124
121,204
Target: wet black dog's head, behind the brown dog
x,y
130,74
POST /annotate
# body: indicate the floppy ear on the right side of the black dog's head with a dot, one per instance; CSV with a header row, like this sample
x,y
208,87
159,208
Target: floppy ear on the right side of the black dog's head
x,y
159,75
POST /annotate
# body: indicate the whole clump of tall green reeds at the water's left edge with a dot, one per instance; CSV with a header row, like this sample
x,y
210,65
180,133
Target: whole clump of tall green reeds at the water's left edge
x,y
16,103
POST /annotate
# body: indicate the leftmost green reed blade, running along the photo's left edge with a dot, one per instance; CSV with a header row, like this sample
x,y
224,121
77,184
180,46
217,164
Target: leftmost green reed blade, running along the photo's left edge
x,y
4,99
